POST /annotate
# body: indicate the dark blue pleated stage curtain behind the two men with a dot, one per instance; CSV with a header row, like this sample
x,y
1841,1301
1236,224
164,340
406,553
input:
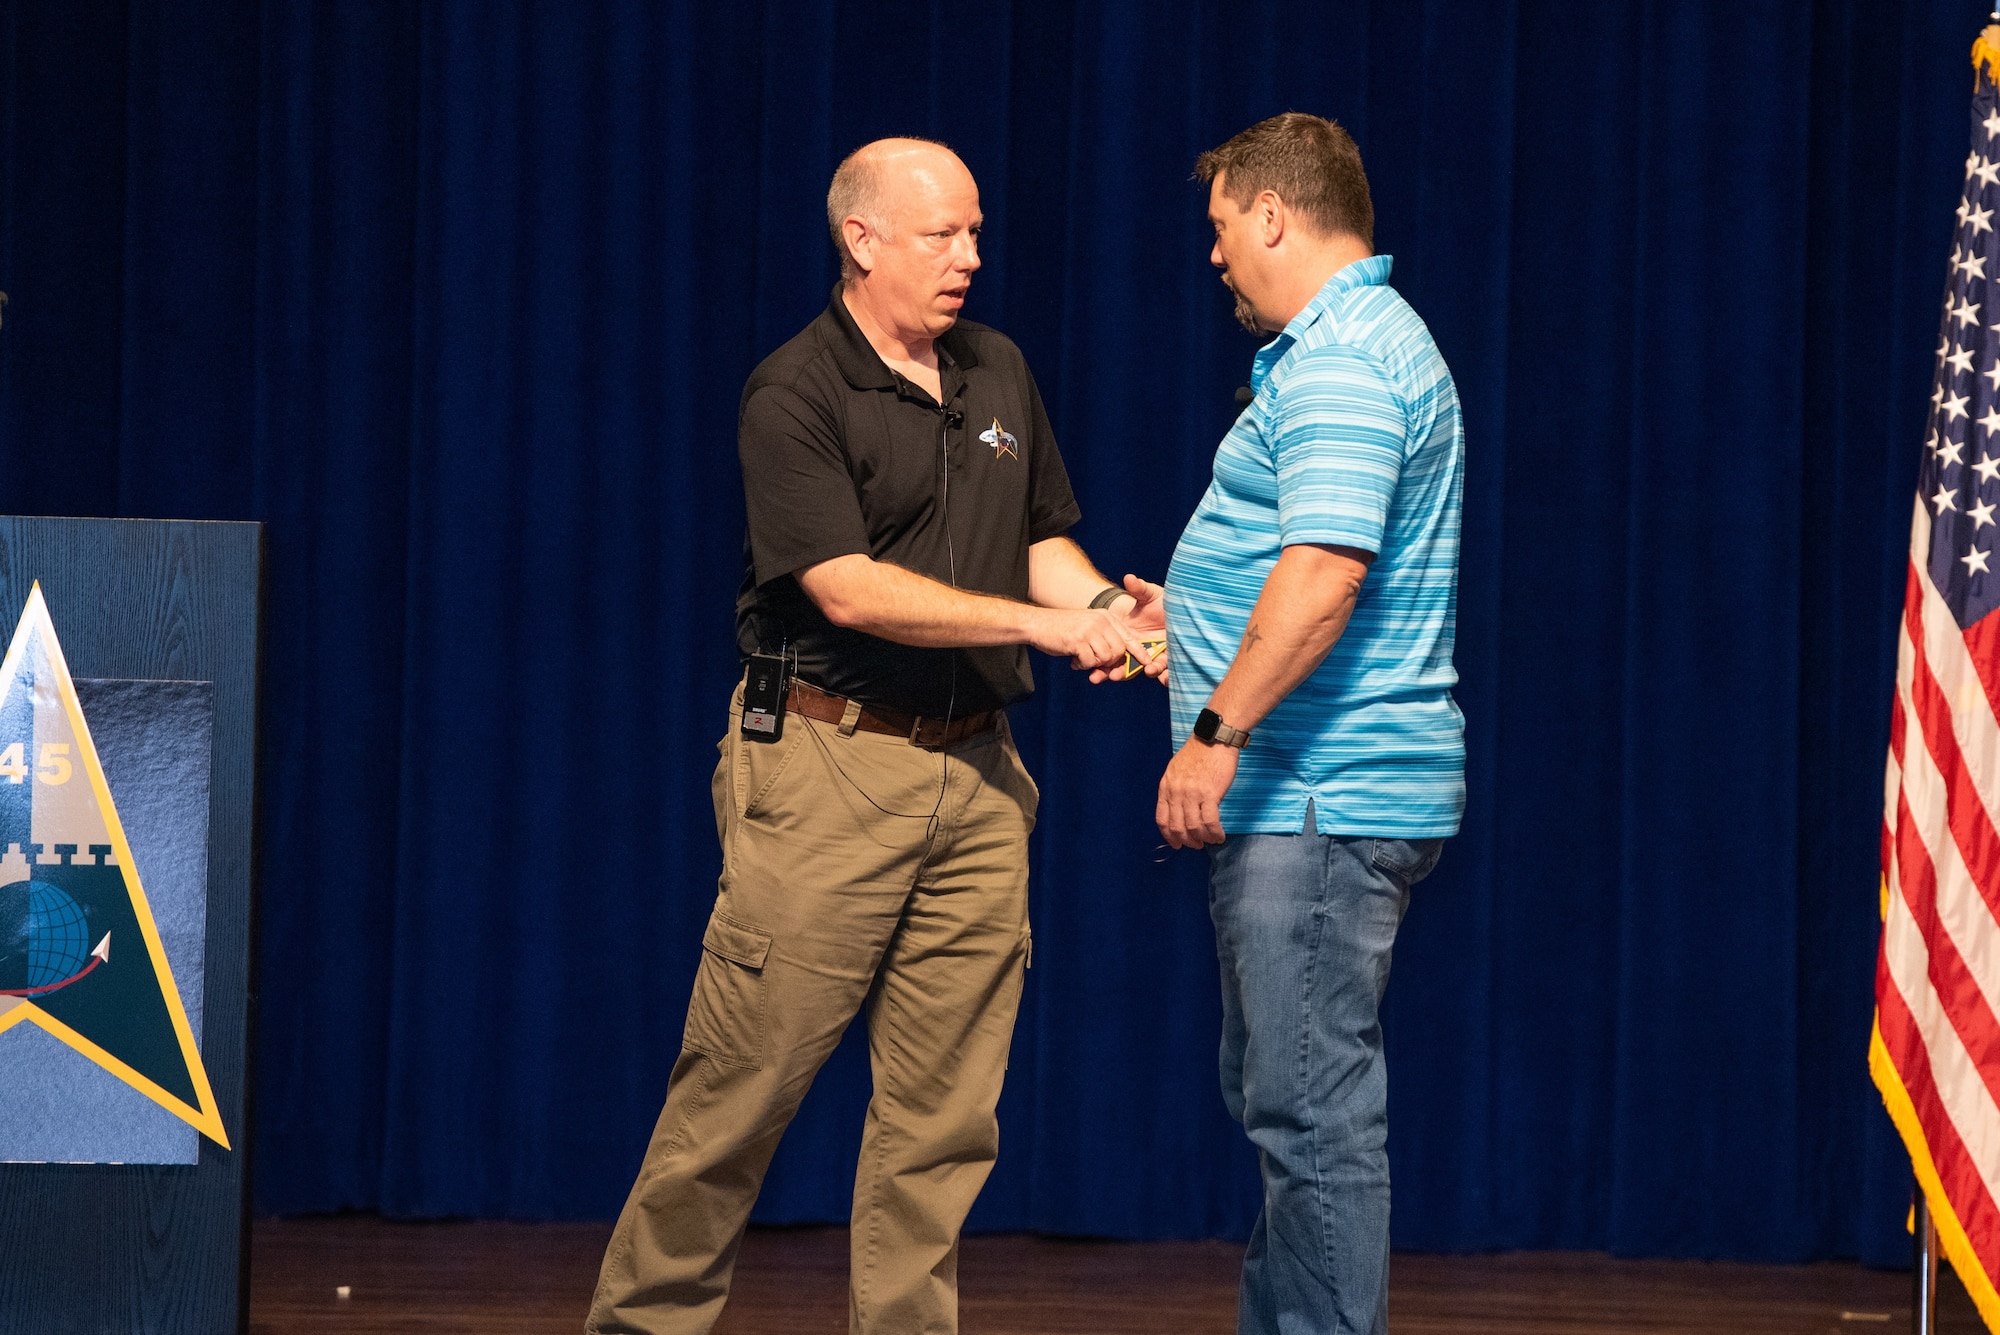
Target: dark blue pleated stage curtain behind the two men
x,y
459,299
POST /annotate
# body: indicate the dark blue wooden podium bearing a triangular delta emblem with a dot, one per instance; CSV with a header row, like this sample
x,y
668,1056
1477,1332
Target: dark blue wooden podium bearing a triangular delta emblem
x,y
129,712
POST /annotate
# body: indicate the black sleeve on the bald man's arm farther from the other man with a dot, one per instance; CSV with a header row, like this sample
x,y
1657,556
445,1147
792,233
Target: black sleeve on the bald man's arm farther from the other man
x,y
799,497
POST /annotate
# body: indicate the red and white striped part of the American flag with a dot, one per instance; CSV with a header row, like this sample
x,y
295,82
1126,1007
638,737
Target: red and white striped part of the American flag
x,y
1939,972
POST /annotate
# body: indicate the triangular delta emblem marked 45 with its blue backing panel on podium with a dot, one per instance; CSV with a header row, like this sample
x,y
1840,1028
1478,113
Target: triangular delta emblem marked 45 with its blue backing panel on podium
x,y
101,984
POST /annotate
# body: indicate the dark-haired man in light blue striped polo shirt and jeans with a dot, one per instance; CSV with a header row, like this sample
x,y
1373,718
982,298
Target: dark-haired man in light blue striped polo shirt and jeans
x,y
1311,611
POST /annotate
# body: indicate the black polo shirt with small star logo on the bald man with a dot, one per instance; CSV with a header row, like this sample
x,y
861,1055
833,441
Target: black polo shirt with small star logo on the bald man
x,y
841,455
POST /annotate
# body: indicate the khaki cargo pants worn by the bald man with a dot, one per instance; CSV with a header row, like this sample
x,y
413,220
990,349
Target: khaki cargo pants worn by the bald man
x,y
845,880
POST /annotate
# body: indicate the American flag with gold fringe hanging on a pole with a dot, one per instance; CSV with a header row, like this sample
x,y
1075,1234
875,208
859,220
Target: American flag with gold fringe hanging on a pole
x,y
1937,1044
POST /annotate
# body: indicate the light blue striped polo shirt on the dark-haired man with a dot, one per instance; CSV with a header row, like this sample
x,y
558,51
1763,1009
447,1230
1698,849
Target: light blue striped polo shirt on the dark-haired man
x,y
1351,439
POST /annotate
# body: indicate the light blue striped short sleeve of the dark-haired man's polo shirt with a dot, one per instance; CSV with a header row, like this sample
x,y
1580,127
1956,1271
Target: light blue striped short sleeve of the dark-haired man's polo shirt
x,y
1341,441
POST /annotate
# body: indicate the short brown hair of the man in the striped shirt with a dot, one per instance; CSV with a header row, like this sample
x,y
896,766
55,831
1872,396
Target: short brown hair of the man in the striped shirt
x,y
1311,165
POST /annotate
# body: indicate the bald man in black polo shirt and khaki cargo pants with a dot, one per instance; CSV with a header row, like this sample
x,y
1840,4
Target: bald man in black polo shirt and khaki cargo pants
x,y
907,541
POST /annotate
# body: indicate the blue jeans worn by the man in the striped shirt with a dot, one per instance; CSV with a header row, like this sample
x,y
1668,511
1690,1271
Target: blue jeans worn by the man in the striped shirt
x,y
1305,928
